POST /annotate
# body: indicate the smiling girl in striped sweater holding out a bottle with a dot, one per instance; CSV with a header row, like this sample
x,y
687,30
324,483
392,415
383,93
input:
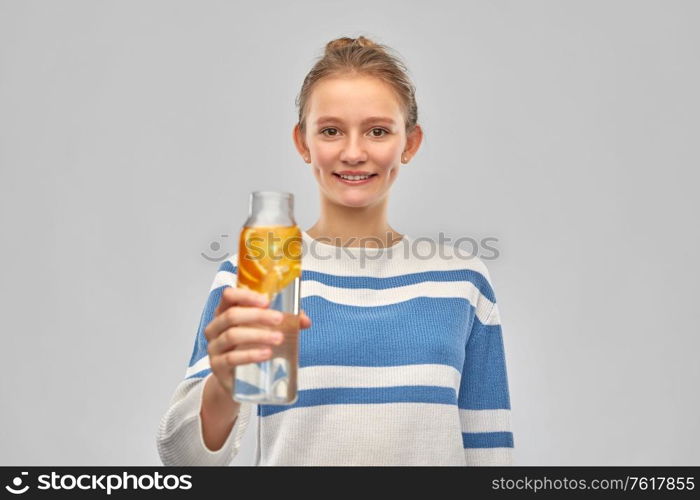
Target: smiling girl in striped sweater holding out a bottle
x,y
404,363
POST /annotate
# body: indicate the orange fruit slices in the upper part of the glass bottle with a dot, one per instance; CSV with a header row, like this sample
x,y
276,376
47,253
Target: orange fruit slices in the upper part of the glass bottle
x,y
269,258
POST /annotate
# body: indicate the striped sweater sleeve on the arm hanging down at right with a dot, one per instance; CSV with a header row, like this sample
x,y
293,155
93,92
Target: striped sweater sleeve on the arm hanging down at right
x,y
483,400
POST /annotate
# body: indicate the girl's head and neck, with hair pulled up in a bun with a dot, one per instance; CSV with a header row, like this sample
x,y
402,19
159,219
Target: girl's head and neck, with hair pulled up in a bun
x,y
357,125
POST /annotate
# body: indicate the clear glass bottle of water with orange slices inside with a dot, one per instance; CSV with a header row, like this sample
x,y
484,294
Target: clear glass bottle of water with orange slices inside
x,y
269,262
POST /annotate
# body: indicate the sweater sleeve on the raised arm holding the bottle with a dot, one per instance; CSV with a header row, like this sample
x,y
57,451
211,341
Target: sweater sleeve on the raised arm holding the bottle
x,y
179,437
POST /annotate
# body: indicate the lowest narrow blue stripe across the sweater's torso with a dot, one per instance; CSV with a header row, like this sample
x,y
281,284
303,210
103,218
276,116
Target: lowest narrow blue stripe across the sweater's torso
x,y
366,395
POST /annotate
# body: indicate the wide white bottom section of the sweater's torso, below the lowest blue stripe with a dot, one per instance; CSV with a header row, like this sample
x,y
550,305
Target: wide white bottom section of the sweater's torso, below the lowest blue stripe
x,y
362,434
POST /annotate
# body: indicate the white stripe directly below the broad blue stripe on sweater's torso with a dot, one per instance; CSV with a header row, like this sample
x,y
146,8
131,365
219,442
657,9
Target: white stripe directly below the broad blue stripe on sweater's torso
x,y
320,377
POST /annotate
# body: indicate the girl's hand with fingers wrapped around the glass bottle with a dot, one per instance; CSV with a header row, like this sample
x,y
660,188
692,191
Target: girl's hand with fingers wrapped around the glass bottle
x,y
242,331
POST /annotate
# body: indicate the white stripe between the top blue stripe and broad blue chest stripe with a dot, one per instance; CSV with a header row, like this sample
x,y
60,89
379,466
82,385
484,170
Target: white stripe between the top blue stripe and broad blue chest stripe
x,y
368,297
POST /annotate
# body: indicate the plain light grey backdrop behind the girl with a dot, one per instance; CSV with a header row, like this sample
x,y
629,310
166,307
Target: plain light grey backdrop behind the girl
x,y
132,132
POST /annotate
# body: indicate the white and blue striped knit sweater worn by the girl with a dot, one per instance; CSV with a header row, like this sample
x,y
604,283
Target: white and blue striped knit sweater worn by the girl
x,y
404,364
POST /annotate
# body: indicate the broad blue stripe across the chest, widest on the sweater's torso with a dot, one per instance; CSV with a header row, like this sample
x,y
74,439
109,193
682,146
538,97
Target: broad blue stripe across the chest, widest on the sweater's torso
x,y
421,330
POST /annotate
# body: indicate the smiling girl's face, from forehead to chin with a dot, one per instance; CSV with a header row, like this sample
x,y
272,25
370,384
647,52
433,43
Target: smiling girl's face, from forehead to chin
x,y
354,124
